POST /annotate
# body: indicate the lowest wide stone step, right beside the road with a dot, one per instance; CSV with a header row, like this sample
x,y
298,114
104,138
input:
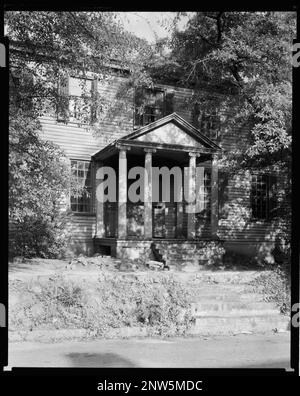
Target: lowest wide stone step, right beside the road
x,y
216,325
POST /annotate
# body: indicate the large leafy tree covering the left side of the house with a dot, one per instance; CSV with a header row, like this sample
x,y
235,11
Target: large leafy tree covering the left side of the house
x,y
42,46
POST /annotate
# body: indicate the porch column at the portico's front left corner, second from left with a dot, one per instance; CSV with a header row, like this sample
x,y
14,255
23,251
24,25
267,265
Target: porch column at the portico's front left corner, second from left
x,y
122,201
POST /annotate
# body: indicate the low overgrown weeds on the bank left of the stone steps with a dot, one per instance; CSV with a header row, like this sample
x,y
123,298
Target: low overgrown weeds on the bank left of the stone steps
x,y
159,303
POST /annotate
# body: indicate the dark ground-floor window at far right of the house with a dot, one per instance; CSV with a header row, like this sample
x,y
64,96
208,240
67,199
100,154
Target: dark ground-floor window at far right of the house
x,y
263,200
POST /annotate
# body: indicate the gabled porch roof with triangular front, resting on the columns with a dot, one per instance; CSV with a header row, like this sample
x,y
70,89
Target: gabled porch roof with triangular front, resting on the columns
x,y
171,133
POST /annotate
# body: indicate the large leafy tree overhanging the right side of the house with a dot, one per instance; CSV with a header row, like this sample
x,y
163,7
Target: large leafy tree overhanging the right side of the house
x,y
247,57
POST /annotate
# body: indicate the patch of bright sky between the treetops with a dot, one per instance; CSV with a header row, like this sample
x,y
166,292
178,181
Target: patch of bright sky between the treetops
x,y
148,25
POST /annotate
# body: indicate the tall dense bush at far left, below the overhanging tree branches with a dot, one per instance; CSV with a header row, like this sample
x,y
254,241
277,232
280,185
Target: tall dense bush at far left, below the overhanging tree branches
x,y
39,180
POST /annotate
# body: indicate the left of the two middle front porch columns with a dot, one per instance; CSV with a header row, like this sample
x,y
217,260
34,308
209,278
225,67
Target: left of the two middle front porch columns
x,y
148,193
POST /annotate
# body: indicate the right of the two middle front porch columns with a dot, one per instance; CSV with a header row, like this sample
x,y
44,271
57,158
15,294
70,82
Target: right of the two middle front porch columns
x,y
191,226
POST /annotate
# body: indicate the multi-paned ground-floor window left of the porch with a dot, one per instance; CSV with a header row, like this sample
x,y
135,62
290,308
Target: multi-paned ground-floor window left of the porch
x,y
82,203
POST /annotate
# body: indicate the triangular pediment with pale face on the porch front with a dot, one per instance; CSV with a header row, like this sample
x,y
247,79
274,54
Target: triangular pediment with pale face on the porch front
x,y
172,130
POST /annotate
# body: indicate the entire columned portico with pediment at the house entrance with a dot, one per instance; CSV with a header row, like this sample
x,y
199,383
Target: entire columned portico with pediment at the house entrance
x,y
189,213
